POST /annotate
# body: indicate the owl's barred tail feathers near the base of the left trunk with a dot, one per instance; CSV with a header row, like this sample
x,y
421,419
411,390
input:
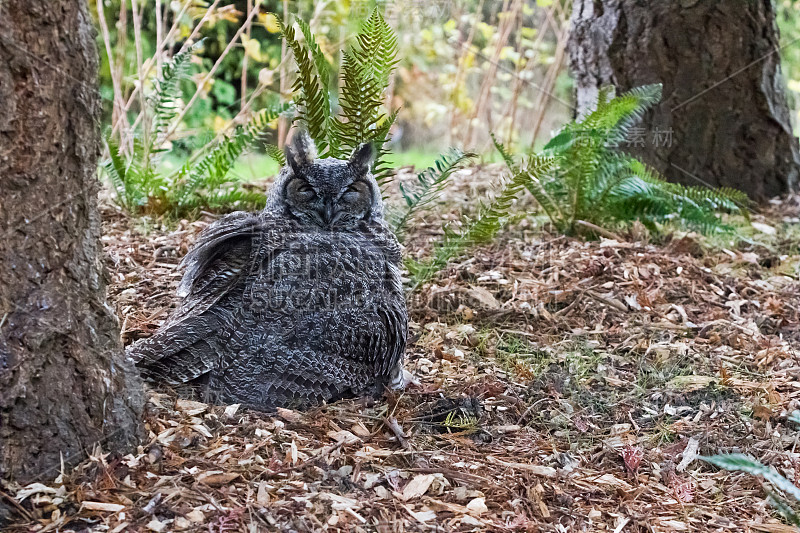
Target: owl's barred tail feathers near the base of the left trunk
x,y
179,353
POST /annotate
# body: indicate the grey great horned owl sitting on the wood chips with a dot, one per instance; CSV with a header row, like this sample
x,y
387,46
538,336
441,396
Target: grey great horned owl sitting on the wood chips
x,y
298,304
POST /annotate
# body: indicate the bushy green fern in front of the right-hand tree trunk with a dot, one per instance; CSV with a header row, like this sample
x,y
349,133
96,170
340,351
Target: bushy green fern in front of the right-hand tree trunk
x,y
595,184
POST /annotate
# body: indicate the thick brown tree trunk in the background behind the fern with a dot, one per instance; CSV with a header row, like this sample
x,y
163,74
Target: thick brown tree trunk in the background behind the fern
x,y
724,119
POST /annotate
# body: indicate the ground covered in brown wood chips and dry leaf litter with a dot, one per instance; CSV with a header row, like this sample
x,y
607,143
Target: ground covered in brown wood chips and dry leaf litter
x,y
561,385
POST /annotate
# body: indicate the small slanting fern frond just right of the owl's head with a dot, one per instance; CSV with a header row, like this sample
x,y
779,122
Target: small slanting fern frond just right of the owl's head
x,y
429,184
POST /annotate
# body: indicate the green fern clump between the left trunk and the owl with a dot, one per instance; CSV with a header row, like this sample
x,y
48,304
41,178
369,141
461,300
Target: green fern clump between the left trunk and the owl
x,y
203,182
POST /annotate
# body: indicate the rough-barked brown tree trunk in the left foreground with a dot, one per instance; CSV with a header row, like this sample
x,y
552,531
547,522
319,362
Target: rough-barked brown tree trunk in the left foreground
x,y
64,382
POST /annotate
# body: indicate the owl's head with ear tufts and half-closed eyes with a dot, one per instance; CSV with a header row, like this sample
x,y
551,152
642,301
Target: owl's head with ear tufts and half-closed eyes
x,y
328,193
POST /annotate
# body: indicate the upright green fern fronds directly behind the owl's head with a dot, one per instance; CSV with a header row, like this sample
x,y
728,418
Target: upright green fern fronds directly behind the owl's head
x,y
365,73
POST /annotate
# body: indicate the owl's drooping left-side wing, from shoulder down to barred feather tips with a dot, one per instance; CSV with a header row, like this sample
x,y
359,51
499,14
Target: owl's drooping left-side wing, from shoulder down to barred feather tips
x,y
185,347
